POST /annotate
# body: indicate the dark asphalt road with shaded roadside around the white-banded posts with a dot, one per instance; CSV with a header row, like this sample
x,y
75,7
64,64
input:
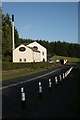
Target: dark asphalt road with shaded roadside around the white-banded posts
x,y
61,102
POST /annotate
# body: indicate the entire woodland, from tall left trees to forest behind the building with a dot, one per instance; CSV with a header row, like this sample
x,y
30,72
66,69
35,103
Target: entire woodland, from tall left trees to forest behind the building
x,y
53,48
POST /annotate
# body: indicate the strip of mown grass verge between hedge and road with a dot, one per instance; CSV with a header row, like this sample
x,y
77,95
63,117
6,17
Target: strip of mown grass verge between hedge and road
x,y
8,74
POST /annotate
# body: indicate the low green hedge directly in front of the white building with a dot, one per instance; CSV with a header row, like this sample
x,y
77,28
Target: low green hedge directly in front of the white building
x,y
11,66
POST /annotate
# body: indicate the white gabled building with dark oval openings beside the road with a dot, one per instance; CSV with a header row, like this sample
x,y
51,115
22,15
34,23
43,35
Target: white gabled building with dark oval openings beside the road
x,y
32,52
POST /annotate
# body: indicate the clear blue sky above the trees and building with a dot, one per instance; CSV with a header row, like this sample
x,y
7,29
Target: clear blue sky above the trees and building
x,y
52,21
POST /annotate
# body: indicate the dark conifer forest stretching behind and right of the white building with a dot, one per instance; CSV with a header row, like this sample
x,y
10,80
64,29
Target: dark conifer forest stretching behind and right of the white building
x,y
58,48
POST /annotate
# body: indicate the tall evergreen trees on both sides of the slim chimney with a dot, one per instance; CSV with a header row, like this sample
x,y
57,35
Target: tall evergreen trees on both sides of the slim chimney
x,y
7,38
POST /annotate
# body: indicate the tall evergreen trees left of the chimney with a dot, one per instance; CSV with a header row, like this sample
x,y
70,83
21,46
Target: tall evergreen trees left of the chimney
x,y
6,36
